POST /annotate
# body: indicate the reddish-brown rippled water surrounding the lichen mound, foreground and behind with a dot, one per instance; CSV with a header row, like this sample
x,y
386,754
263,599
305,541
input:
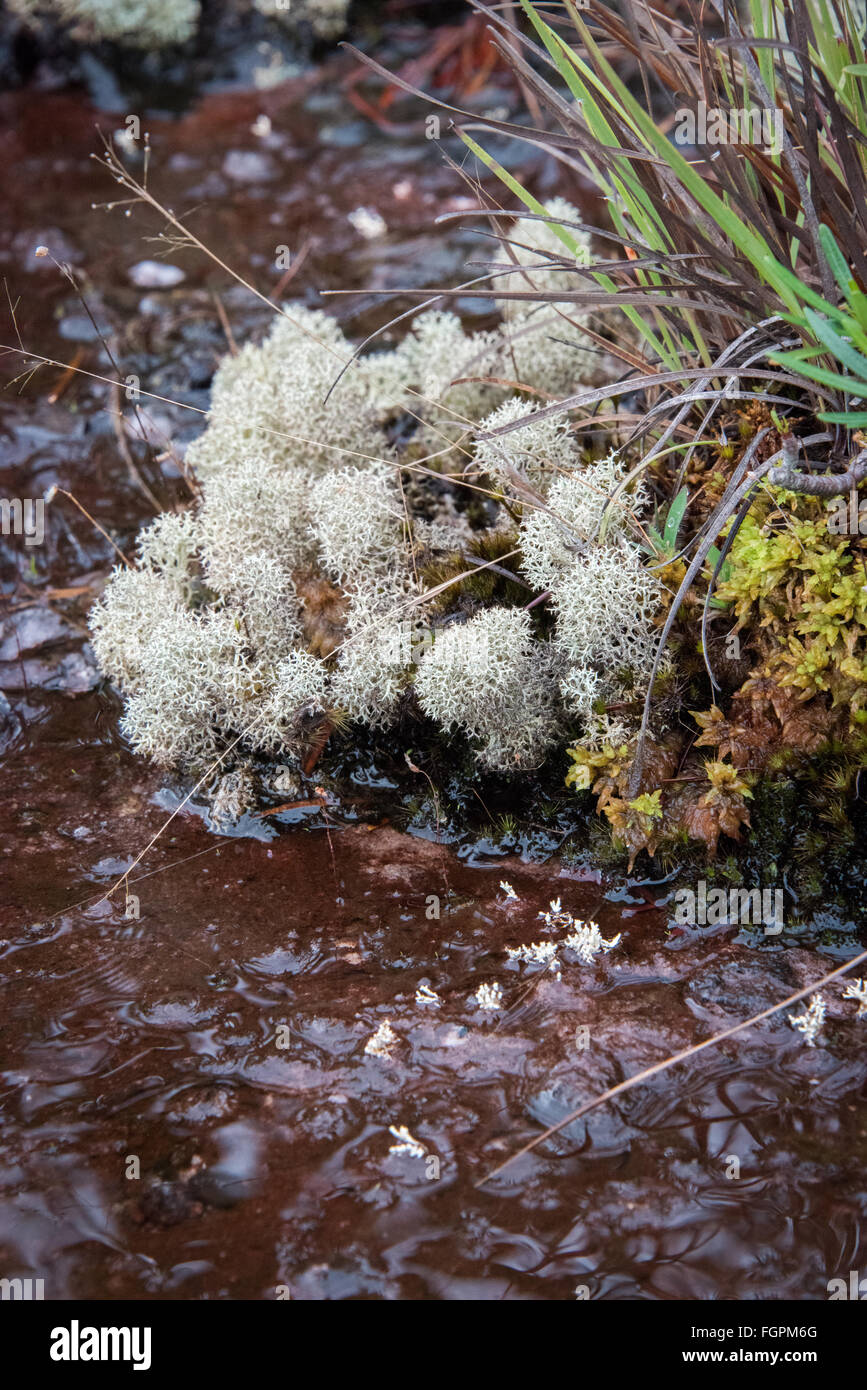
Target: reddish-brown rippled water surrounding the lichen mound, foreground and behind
x,y
188,1106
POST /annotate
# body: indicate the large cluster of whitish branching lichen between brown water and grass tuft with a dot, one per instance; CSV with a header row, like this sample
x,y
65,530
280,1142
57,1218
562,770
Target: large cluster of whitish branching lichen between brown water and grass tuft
x,y
309,505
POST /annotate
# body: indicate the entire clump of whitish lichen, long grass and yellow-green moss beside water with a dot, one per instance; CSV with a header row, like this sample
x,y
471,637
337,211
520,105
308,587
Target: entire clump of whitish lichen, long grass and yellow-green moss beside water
x,y
669,603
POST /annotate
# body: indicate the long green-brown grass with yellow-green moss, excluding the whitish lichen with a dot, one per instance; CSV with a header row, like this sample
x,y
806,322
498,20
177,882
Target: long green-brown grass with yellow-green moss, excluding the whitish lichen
x,y
741,275
